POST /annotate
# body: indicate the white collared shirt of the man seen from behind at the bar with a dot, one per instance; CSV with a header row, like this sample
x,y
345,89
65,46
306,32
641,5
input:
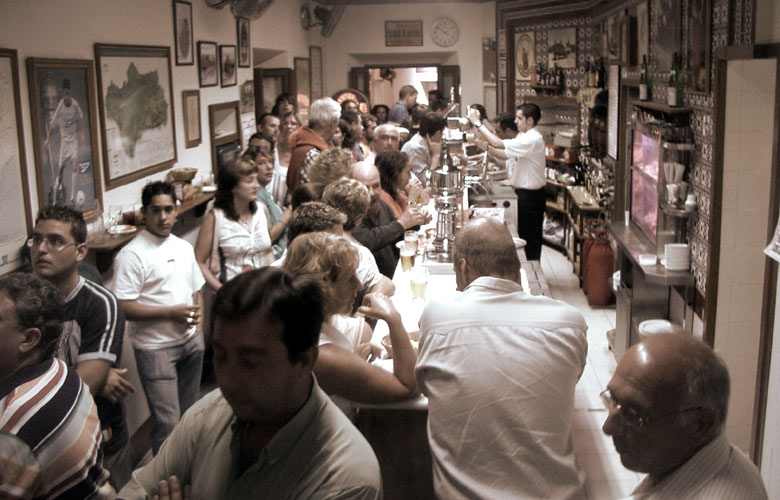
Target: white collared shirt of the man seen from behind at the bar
x,y
499,367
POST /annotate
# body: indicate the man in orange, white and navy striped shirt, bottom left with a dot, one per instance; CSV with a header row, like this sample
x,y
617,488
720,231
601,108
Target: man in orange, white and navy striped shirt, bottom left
x,y
49,428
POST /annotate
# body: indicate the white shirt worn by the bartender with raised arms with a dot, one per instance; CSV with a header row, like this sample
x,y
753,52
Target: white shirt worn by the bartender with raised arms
x,y
527,151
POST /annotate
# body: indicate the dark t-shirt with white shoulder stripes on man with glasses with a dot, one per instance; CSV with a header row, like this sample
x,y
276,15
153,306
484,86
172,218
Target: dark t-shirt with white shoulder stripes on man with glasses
x,y
94,328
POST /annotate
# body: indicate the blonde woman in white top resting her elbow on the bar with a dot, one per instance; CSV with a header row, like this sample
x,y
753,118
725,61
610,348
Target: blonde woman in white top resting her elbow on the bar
x,y
343,367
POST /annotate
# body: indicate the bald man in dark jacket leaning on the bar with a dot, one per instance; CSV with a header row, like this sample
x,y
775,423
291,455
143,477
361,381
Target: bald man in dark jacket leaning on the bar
x,y
379,230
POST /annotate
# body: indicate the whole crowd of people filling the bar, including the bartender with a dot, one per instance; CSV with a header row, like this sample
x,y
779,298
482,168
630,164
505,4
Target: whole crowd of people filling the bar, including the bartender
x,y
291,270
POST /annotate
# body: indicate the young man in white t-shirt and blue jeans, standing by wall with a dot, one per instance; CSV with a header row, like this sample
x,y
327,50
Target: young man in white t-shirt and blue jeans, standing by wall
x,y
158,283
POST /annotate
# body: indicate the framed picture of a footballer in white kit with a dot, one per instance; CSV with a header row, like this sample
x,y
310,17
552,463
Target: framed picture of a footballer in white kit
x,y
62,105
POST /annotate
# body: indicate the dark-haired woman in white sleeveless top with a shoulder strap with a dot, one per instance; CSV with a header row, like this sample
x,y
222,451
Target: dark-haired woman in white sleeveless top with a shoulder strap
x,y
240,227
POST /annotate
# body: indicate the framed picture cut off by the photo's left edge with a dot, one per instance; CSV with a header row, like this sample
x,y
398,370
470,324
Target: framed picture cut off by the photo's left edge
x,y
14,190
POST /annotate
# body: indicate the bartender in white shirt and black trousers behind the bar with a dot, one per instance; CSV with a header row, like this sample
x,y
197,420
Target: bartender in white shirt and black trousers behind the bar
x,y
527,152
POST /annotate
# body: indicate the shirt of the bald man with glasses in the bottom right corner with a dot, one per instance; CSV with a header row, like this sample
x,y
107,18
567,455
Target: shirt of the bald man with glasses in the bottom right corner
x,y
717,471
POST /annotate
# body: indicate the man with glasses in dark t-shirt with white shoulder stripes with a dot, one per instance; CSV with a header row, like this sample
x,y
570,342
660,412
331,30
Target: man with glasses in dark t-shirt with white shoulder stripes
x,y
93,328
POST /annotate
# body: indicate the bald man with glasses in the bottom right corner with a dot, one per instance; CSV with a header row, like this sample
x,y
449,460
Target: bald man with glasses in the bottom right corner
x,y
667,405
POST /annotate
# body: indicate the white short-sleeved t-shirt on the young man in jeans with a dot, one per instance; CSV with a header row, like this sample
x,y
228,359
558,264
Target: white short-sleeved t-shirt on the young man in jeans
x,y
158,271
